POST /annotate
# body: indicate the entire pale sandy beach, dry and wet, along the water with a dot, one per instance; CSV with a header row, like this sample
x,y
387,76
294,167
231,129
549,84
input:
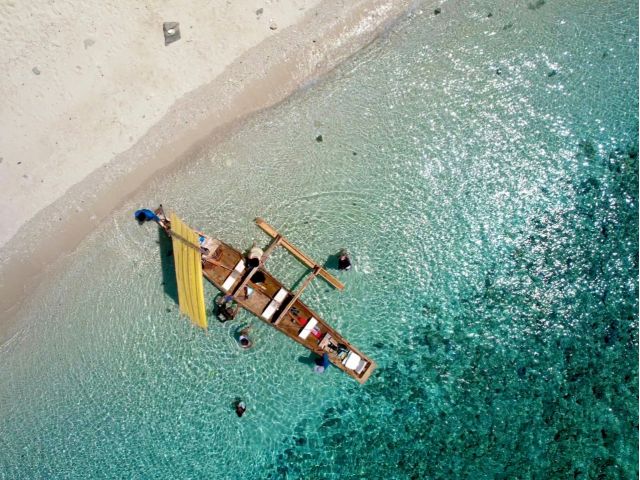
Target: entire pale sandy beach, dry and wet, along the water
x,y
95,104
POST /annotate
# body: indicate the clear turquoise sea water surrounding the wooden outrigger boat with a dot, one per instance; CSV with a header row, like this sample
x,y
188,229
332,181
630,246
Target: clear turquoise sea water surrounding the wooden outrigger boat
x,y
482,167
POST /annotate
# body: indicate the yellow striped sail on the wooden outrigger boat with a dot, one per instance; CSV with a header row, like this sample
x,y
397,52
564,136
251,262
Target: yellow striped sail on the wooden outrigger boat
x,y
186,254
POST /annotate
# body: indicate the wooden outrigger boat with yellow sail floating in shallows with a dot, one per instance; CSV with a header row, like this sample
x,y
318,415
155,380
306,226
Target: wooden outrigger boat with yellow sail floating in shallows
x,y
245,280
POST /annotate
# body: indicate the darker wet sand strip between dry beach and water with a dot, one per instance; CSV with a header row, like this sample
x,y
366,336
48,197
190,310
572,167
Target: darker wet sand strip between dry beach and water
x,y
260,78
